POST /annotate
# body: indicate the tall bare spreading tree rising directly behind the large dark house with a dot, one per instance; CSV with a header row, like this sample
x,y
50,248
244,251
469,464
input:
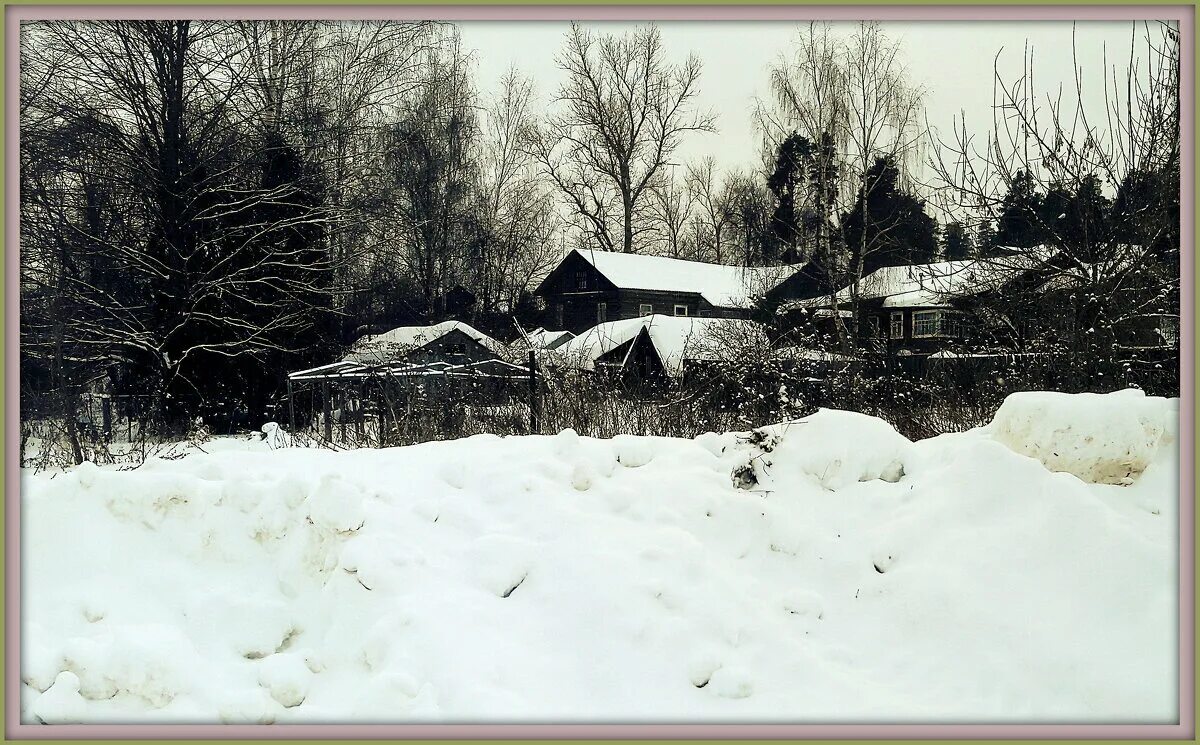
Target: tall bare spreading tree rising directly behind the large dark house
x,y
621,116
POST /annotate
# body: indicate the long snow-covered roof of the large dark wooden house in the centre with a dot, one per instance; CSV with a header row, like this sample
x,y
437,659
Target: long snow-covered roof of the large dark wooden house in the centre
x,y
721,285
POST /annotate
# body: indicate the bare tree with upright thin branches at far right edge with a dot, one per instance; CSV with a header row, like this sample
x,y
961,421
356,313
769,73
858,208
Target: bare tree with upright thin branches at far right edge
x,y
1114,261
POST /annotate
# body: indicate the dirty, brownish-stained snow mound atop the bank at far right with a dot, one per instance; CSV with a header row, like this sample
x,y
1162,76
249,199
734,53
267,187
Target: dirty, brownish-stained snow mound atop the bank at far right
x,y
1101,438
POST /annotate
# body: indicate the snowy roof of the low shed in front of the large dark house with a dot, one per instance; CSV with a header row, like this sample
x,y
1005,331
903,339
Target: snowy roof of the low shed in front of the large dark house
x,y
676,339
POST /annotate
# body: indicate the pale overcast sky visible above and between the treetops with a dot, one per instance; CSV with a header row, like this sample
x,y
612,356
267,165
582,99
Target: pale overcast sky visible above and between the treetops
x,y
952,61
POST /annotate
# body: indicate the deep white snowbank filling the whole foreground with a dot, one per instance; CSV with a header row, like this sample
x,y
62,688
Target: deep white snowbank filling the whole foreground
x,y
819,570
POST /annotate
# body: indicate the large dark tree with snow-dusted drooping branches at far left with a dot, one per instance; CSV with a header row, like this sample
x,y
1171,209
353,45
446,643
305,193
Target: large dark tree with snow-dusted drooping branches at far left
x,y
173,248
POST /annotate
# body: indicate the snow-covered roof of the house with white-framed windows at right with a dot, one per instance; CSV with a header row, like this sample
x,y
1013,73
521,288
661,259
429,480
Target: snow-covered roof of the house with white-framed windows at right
x,y
935,285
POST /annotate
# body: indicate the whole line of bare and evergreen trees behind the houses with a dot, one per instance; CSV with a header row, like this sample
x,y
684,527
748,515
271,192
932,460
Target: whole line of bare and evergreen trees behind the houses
x,y
207,205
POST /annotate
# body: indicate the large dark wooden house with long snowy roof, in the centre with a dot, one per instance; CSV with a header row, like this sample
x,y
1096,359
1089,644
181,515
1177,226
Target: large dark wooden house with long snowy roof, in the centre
x,y
597,287
